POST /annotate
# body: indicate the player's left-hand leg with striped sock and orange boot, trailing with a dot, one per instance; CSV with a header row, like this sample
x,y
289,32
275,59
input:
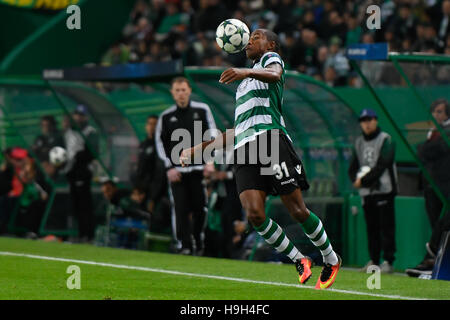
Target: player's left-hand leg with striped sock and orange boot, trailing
x,y
253,203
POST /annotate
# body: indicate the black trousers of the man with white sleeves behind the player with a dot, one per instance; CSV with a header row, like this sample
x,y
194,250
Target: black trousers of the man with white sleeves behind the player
x,y
189,210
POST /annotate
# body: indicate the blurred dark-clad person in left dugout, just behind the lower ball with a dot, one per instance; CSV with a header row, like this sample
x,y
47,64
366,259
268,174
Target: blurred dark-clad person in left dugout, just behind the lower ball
x,y
50,137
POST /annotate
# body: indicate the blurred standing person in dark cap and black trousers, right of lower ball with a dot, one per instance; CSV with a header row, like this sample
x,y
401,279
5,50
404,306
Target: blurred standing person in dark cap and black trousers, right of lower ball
x,y
82,144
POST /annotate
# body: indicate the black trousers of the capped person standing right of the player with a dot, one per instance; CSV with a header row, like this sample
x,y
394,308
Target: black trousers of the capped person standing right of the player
x,y
379,212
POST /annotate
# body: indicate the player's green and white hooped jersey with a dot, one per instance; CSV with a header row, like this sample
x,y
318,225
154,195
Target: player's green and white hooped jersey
x,y
258,104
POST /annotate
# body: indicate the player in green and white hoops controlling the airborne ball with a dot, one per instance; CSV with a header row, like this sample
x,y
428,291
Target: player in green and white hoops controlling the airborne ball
x,y
258,118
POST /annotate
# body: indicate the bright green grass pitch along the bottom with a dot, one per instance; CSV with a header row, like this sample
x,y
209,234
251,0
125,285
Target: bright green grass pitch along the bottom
x,y
116,274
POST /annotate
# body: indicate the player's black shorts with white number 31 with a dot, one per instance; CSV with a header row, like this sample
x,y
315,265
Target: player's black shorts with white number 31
x,y
281,176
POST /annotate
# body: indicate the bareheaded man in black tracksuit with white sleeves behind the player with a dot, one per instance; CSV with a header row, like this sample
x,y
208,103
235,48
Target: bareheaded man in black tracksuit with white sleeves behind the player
x,y
178,128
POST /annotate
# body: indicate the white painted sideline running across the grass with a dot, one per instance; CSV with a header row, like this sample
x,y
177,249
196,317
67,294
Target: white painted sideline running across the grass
x,y
280,284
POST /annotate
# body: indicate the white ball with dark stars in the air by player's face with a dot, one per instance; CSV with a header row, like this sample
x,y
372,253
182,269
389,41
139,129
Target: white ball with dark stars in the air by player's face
x,y
232,35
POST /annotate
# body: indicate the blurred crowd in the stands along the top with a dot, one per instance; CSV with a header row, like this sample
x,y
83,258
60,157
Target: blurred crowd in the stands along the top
x,y
313,33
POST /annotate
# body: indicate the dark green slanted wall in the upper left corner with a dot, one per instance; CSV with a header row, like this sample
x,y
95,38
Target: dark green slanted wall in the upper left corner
x,y
53,45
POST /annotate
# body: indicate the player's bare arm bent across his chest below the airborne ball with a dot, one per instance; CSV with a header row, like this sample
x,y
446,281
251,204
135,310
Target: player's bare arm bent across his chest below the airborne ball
x,y
272,73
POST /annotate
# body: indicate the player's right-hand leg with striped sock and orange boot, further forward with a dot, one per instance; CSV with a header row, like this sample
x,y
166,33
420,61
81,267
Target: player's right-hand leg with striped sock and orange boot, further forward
x,y
313,228
